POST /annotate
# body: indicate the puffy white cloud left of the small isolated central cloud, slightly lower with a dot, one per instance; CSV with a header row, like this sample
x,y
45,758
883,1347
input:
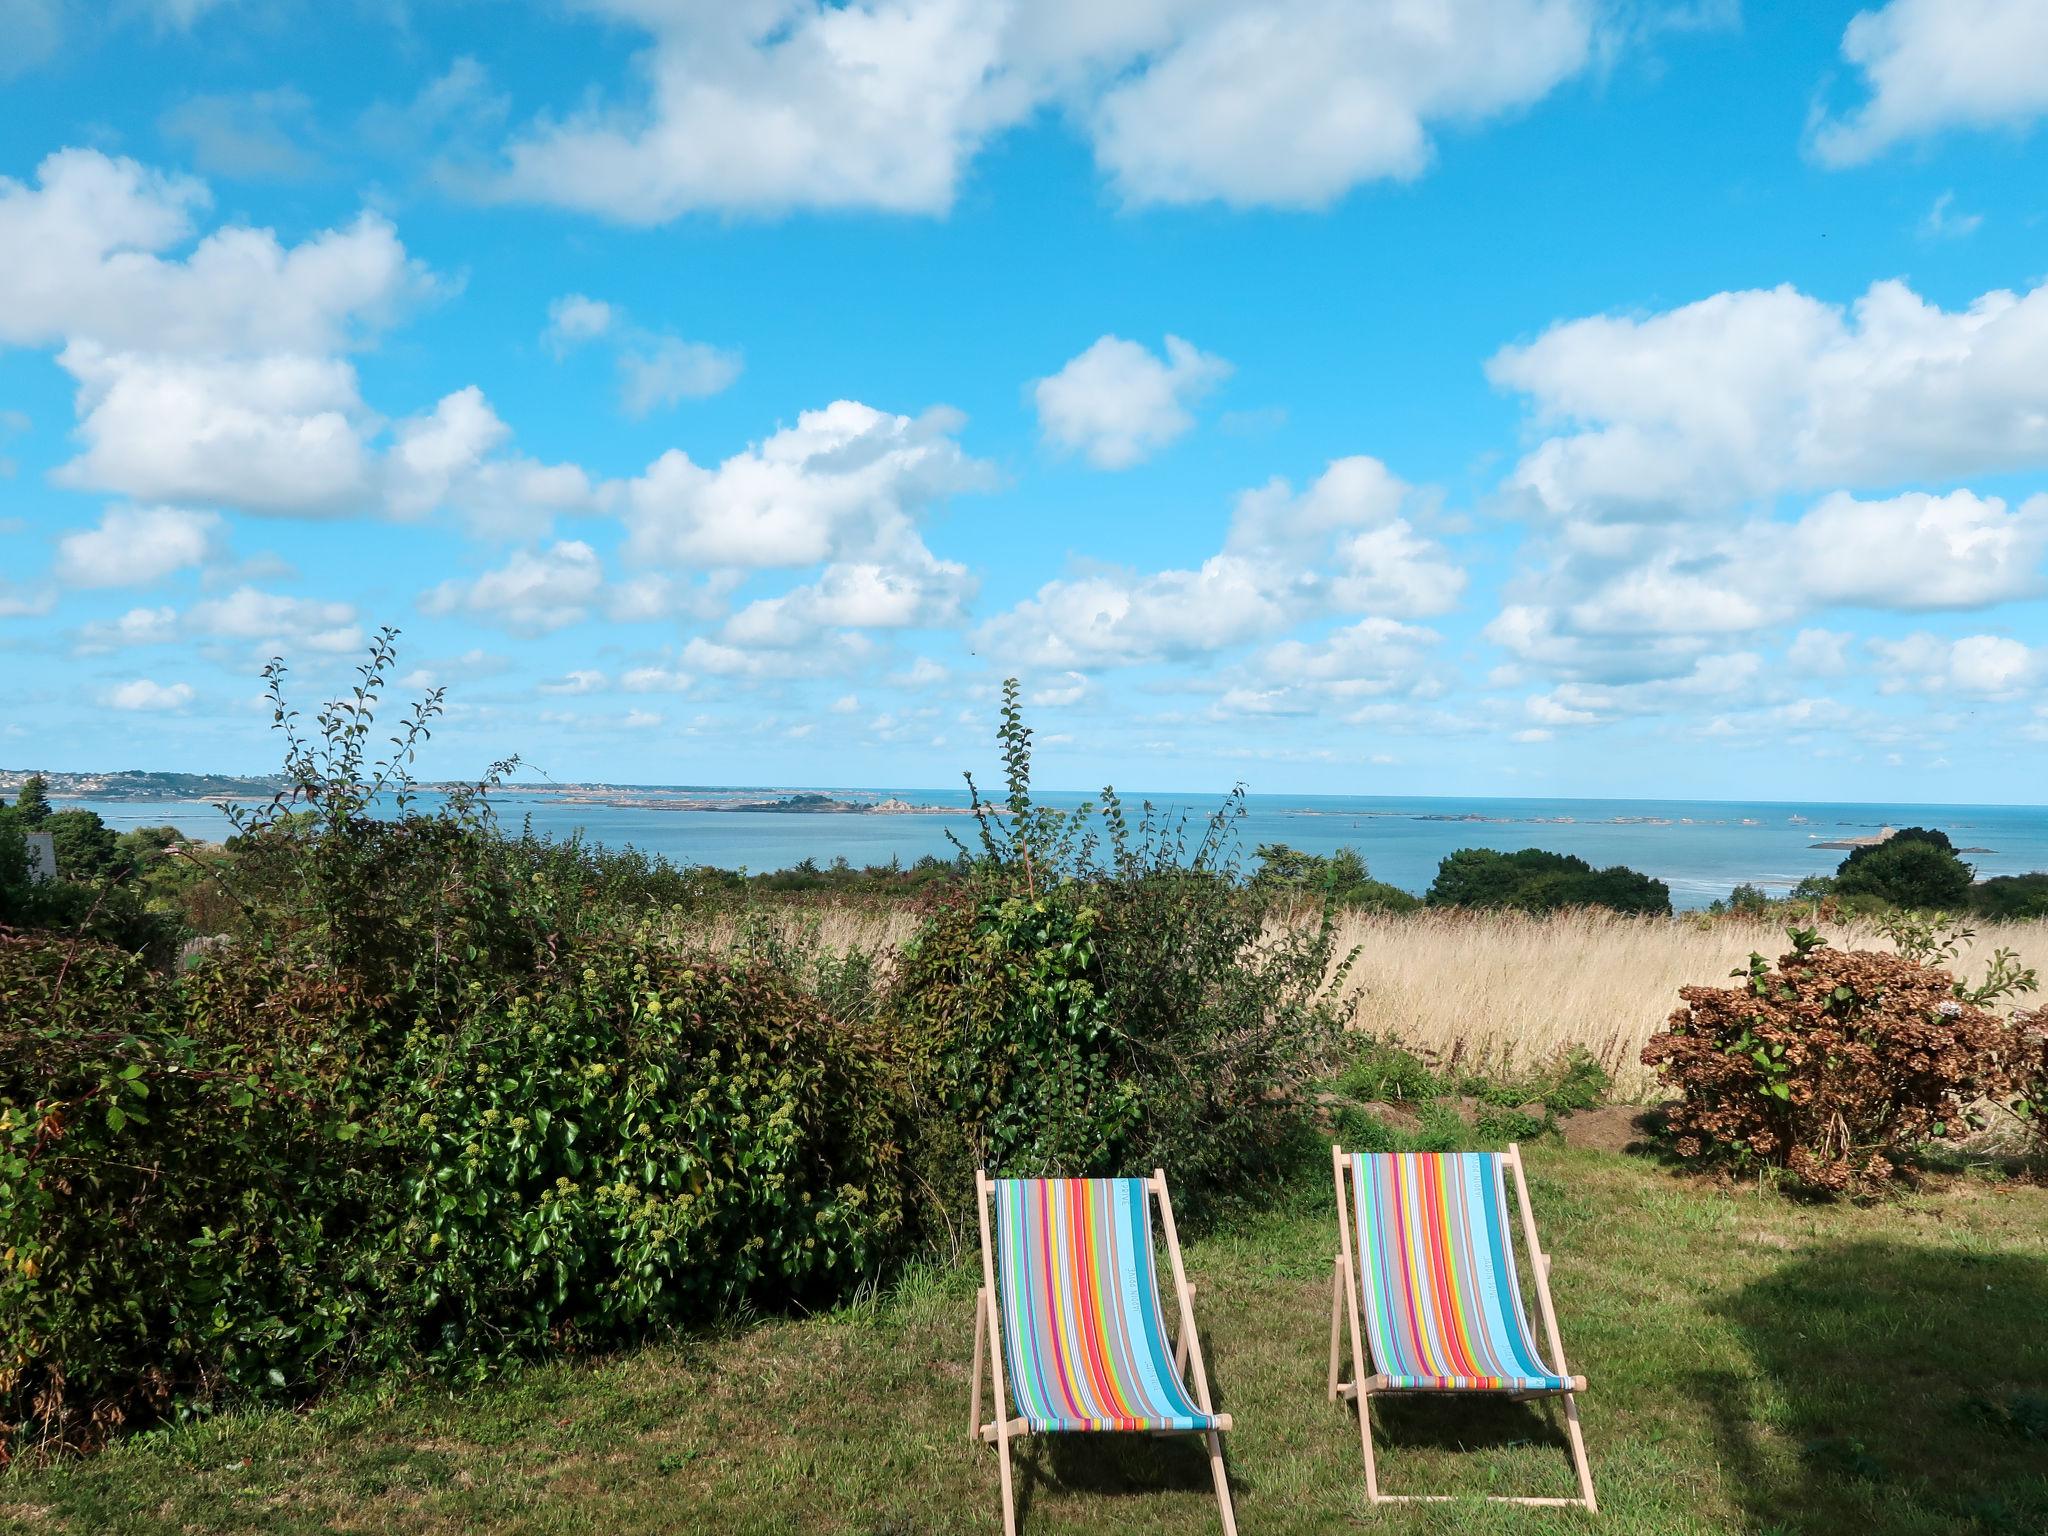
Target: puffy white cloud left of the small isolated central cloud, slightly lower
x,y
847,482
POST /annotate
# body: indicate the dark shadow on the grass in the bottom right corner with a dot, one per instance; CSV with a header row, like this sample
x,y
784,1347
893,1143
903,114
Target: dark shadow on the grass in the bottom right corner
x,y
1912,1383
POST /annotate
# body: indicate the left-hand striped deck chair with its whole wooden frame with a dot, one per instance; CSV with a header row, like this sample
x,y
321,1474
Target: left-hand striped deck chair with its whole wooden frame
x,y
1070,1310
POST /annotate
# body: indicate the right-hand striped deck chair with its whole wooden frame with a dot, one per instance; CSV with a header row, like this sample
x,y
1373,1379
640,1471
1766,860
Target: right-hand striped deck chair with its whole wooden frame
x,y
1439,1293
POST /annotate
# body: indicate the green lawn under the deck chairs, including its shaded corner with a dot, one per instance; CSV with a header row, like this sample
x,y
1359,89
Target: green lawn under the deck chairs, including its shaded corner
x,y
1756,1367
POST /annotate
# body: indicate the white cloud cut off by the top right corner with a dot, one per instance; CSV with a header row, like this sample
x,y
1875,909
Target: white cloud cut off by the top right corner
x,y
1934,67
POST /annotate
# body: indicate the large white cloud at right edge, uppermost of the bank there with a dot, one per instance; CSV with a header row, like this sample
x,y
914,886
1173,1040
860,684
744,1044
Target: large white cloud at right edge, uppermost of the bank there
x,y
1744,396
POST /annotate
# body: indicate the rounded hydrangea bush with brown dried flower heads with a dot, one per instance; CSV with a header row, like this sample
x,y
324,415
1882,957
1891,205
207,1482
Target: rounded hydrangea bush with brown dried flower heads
x,y
1832,1066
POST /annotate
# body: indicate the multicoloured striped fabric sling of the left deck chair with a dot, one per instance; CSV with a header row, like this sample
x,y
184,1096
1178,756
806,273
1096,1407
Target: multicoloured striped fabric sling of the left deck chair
x,y
1084,1340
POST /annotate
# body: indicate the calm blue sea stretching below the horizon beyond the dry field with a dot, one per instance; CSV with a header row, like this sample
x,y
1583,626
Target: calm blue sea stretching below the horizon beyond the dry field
x,y
1699,847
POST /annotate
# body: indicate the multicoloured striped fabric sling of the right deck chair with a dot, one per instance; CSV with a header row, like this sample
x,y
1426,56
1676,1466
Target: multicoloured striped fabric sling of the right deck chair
x,y
1441,1295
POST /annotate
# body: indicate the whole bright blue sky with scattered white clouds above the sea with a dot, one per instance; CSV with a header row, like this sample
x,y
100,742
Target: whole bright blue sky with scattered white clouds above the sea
x,y
1486,398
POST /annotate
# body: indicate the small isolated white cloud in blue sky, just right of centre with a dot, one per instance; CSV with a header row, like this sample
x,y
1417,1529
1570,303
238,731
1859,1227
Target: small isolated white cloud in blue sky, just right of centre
x,y
1119,404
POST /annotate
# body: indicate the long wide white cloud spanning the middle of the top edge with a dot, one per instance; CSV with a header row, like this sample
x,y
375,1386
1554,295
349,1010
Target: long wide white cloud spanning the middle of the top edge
x,y
800,103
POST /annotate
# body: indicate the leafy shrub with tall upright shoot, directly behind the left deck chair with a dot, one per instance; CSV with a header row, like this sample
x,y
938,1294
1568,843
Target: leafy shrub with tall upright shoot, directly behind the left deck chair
x,y
1103,998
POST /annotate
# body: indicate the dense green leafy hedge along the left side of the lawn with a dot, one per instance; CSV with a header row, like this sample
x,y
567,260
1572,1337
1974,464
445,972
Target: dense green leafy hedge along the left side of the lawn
x,y
237,1181
